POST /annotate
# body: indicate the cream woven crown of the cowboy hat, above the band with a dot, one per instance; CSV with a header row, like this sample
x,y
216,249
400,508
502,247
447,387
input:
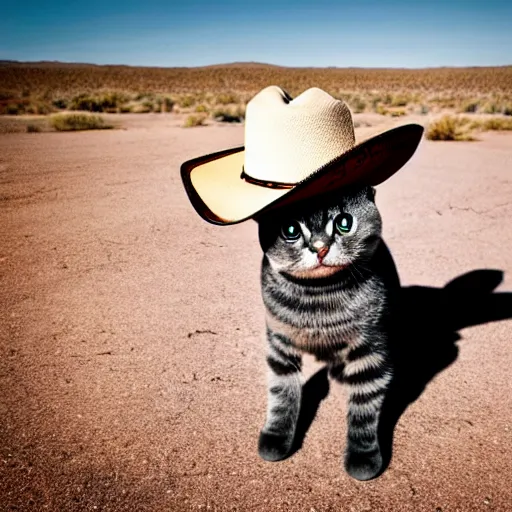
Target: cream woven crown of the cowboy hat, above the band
x,y
286,140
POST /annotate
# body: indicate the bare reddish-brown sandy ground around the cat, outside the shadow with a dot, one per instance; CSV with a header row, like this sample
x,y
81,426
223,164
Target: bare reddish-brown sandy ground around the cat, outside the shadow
x,y
132,357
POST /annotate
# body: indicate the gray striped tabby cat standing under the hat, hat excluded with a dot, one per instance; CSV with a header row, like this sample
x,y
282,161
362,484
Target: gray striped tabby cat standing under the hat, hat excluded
x,y
329,287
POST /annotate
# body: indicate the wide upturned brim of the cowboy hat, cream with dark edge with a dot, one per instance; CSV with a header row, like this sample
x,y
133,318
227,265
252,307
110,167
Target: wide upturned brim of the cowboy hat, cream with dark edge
x,y
220,196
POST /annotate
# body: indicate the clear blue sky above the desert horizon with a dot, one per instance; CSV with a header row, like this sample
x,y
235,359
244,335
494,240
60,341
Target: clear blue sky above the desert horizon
x,y
361,33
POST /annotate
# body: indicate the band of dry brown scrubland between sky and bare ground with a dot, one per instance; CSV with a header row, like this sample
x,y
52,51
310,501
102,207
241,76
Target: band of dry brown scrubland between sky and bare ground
x,y
41,88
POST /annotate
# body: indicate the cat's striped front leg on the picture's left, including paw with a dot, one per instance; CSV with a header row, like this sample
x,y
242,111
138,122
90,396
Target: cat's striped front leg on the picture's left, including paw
x,y
284,397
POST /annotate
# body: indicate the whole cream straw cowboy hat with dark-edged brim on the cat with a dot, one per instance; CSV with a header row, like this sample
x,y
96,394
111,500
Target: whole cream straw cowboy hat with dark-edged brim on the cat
x,y
294,149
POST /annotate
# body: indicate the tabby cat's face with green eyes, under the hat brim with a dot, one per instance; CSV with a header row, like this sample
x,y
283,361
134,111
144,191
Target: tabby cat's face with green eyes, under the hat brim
x,y
321,239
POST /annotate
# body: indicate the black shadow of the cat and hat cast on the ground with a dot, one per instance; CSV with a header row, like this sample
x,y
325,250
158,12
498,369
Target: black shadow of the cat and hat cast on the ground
x,y
424,344
